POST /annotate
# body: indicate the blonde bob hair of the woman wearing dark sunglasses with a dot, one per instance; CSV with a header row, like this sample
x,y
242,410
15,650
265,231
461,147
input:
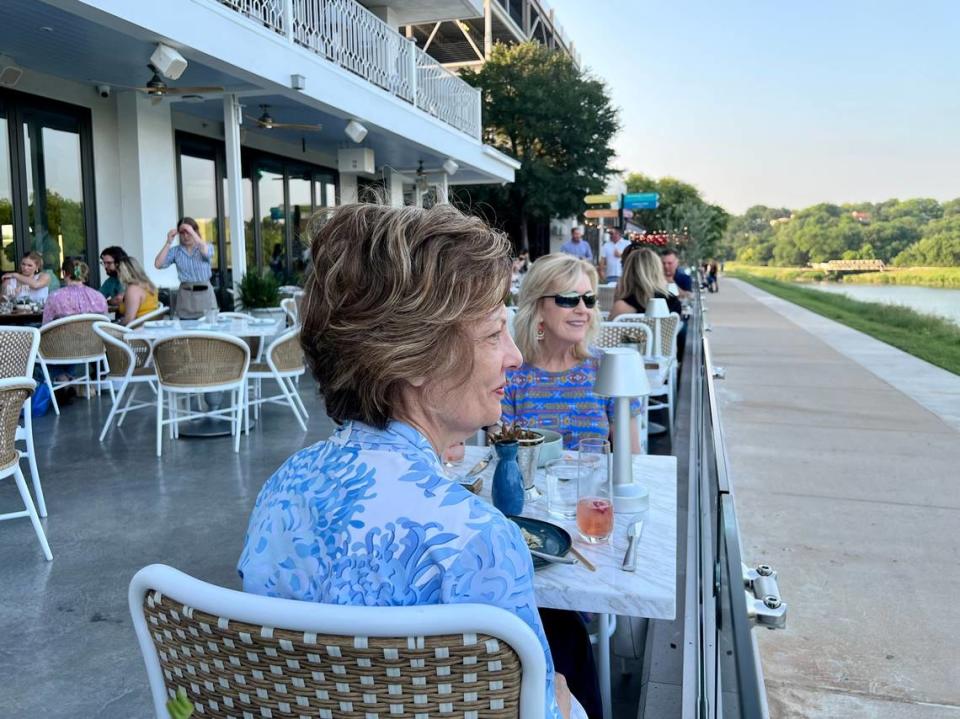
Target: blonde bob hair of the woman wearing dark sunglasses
x,y
548,276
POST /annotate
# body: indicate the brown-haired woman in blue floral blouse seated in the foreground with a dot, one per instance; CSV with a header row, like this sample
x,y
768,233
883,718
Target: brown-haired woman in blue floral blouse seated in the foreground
x,y
404,328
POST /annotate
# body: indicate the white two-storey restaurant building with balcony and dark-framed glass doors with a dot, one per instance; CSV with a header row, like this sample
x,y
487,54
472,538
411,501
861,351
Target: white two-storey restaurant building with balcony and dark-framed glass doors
x,y
251,139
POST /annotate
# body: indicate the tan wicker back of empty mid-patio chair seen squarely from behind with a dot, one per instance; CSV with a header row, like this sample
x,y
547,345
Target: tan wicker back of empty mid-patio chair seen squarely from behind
x,y
198,361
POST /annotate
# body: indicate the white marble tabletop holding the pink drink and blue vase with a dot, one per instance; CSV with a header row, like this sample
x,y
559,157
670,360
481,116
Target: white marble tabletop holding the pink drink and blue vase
x,y
648,592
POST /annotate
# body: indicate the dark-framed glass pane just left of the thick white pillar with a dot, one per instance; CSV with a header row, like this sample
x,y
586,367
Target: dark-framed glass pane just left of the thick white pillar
x,y
55,195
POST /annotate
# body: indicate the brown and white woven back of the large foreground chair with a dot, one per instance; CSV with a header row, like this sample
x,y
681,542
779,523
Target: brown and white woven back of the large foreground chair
x,y
233,669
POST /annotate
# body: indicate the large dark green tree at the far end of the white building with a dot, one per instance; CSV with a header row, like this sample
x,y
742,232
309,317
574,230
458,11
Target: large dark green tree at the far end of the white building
x,y
556,119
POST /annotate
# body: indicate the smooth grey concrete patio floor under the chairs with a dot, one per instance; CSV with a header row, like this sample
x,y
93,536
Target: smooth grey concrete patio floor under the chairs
x,y
67,647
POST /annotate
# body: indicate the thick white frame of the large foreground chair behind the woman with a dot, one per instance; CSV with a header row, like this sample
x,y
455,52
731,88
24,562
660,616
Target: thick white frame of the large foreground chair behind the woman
x,y
425,620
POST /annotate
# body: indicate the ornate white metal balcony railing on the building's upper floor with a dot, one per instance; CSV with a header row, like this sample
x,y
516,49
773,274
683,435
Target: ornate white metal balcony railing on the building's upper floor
x,y
346,33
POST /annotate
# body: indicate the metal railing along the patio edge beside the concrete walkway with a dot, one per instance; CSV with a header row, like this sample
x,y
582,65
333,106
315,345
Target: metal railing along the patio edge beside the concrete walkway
x,y
725,600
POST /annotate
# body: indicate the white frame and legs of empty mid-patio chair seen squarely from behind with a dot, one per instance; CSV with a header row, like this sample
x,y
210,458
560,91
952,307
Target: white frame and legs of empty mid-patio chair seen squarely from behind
x,y
238,389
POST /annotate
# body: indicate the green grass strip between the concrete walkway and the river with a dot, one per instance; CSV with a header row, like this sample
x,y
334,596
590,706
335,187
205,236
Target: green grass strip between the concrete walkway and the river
x,y
930,338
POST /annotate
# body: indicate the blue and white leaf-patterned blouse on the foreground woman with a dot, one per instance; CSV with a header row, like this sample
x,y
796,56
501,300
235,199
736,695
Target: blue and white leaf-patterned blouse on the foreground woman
x,y
369,518
